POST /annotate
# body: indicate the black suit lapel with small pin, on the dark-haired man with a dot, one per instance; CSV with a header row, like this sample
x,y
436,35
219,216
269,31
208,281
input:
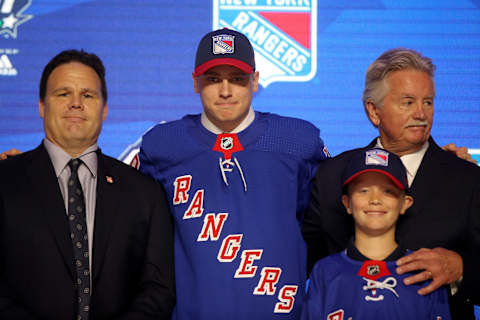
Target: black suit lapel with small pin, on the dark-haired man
x,y
108,193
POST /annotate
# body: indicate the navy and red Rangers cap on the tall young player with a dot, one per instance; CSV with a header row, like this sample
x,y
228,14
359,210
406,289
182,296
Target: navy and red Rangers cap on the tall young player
x,y
224,47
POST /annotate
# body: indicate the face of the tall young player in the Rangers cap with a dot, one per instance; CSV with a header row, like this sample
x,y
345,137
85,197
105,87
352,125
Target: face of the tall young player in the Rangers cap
x,y
226,94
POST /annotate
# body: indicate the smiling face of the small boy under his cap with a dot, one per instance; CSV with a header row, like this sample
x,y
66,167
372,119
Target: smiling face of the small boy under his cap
x,y
375,203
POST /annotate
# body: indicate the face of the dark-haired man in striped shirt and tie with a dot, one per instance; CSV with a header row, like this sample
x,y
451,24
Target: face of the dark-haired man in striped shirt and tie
x,y
73,109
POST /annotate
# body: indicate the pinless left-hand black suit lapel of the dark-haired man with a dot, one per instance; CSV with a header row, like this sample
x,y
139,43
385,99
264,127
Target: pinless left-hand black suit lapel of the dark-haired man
x,y
44,182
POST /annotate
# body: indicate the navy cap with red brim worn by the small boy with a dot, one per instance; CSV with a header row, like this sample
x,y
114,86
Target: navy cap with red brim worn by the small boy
x,y
376,160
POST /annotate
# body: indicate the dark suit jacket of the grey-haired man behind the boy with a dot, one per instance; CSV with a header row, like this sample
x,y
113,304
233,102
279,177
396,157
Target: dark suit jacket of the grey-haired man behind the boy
x,y
445,213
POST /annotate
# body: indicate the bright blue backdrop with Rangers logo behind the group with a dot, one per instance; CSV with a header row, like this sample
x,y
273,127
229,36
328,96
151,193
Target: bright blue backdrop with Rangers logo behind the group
x,y
312,56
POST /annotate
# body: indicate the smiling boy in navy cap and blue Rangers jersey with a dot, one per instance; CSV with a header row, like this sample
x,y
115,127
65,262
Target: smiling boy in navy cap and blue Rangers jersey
x,y
361,282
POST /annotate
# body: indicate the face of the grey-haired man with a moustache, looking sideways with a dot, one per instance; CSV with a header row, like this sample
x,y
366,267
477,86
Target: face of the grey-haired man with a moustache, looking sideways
x,y
405,119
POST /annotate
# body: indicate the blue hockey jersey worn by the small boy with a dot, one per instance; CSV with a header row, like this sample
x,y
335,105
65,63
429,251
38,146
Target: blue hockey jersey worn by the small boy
x,y
342,288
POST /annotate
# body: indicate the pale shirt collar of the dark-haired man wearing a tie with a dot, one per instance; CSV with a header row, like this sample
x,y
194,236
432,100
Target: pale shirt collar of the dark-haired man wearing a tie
x,y
60,158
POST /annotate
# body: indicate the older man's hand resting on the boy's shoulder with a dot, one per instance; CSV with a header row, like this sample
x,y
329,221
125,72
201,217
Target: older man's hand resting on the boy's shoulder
x,y
441,265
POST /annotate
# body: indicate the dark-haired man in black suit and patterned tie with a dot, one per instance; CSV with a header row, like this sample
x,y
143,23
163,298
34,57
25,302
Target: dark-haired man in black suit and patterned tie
x,y
82,235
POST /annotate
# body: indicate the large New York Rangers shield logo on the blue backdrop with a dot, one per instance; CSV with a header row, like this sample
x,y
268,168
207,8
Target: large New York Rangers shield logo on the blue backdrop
x,y
283,35
